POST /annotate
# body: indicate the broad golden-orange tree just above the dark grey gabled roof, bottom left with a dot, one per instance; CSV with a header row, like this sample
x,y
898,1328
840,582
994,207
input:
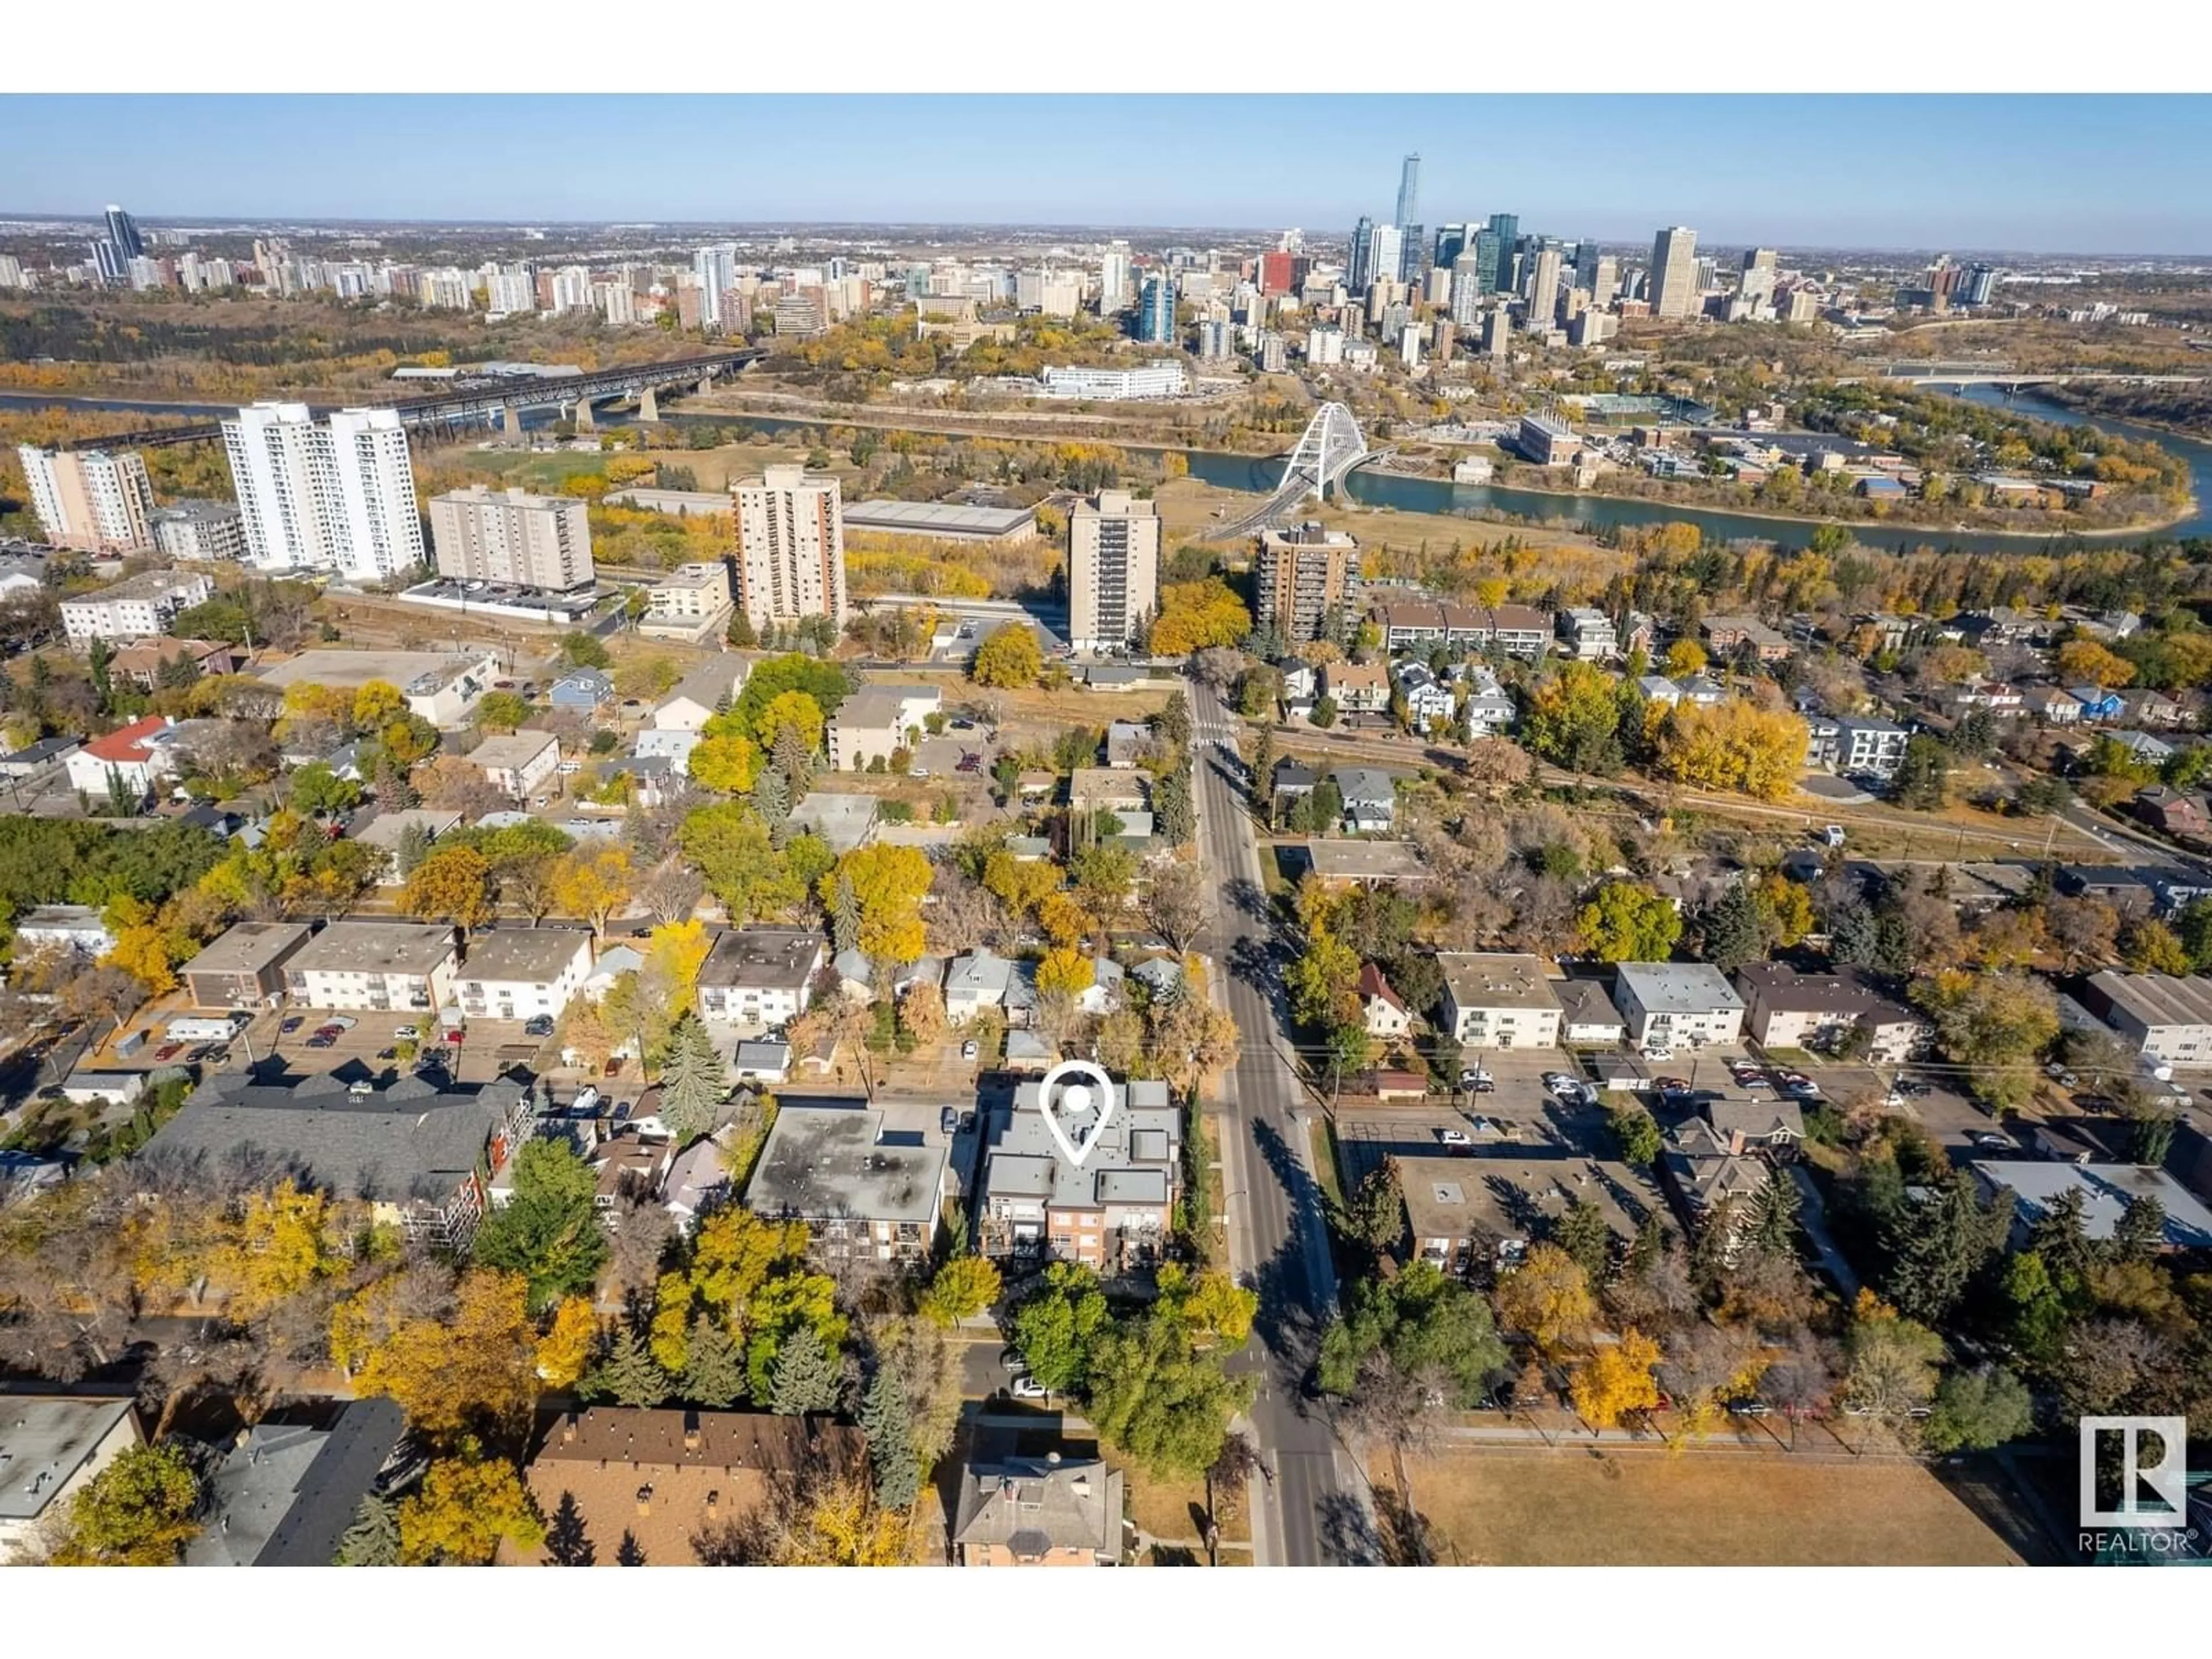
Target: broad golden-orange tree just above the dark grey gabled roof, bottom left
x,y
477,1364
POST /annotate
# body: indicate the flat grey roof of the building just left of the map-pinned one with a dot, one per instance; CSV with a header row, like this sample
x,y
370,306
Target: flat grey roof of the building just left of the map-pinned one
x,y
826,1160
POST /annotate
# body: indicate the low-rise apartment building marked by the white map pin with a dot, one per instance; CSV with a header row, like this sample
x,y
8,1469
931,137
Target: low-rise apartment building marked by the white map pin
x,y
1112,1213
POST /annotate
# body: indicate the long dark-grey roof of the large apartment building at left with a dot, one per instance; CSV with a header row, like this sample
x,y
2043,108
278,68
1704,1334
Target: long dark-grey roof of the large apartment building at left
x,y
395,1145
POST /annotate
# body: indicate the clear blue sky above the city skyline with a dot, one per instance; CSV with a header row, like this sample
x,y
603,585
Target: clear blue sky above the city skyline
x,y
2018,174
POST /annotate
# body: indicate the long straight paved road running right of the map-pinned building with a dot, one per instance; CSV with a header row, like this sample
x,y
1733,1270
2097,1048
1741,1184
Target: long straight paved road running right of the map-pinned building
x,y
1315,1510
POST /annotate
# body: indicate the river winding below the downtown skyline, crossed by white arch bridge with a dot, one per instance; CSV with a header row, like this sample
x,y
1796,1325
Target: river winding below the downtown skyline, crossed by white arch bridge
x,y
1439,497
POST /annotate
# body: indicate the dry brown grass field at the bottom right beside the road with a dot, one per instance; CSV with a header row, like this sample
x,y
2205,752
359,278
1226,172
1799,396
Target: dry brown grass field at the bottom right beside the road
x,y
1700,1510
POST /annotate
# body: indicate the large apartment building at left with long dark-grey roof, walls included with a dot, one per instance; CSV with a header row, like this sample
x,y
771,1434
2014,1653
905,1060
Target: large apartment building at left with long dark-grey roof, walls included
x,y
419,1156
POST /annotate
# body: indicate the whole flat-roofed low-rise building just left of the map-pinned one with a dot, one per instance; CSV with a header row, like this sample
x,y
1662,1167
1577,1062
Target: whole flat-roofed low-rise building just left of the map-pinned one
x,y
868,1196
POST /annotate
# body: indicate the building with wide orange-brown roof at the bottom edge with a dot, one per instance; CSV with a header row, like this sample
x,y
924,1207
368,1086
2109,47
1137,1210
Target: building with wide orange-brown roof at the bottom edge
x,y
662,1485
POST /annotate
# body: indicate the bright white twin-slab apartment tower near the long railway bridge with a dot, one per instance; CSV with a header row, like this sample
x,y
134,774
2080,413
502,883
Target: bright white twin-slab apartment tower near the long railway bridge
x,y
333,497
